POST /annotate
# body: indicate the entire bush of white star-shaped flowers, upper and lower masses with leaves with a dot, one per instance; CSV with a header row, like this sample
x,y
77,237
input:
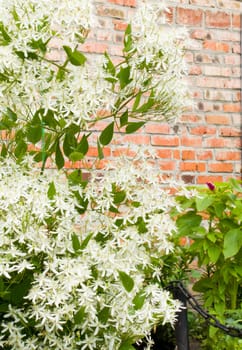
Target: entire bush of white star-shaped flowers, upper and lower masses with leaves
x,y
81,262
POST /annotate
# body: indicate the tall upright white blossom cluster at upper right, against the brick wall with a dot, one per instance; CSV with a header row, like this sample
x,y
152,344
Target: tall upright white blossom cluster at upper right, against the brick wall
x,y
160,48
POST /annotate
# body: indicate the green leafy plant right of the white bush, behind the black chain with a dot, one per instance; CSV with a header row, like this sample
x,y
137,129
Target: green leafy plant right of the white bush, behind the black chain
x,y
211,219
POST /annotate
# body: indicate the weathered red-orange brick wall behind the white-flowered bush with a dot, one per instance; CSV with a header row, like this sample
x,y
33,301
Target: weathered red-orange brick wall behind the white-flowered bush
x,y
205,144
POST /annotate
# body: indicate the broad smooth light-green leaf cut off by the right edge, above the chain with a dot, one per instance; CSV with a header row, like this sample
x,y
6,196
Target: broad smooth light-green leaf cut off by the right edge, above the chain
x,y
232,242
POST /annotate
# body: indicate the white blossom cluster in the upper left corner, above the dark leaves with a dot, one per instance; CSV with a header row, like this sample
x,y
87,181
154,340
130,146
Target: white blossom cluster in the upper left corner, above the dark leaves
x,y
29,80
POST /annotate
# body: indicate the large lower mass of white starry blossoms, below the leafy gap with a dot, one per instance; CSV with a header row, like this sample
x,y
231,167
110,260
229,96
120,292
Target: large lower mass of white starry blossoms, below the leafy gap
x,y
91,281
